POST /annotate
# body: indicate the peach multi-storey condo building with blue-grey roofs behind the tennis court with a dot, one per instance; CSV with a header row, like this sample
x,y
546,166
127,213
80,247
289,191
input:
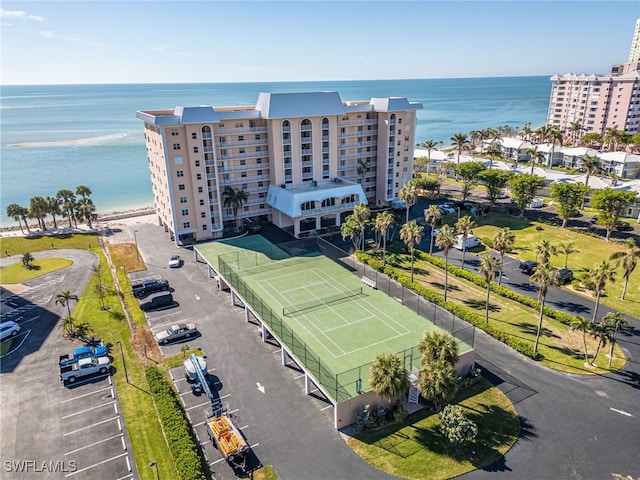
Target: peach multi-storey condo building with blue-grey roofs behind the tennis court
x,y
300,160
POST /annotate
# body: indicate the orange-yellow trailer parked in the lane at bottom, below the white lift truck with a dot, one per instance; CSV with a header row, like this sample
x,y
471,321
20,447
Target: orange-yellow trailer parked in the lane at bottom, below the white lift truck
x,y
226,436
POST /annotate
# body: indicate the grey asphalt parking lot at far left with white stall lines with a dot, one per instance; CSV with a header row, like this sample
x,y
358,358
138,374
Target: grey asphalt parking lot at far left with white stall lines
x,y
50,429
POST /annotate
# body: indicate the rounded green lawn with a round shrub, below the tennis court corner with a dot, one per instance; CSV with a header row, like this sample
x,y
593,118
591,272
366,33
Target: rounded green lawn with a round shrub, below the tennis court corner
x,y
416,449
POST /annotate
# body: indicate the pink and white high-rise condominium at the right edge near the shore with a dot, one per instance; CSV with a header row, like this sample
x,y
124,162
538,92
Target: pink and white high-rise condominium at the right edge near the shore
x,y
598,102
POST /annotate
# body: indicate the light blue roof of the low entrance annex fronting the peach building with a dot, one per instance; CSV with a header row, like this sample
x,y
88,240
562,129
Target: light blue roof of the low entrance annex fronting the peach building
x,y
289,200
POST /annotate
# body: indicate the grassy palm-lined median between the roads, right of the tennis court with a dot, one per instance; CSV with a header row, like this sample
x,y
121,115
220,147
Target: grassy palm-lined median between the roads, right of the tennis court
x,y
513,317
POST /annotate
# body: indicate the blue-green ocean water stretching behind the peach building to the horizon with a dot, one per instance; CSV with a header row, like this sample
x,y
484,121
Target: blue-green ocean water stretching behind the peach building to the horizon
x,y
61,136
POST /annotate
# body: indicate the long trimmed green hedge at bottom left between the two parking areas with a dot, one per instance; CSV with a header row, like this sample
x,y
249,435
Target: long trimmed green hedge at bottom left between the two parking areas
x,y
177,430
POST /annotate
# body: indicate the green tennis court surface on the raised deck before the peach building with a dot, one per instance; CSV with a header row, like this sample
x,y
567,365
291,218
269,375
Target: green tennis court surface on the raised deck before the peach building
x,y
341,321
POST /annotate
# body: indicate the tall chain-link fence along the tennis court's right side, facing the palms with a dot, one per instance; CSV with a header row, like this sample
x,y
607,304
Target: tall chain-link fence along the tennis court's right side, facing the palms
x,y
433,313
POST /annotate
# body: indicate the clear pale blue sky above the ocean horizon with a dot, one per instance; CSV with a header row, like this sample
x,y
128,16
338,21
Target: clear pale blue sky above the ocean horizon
x,y
79,42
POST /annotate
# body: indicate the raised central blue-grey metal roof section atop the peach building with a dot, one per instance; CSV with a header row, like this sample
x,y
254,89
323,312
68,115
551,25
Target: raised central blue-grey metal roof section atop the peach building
x,y
311,104
